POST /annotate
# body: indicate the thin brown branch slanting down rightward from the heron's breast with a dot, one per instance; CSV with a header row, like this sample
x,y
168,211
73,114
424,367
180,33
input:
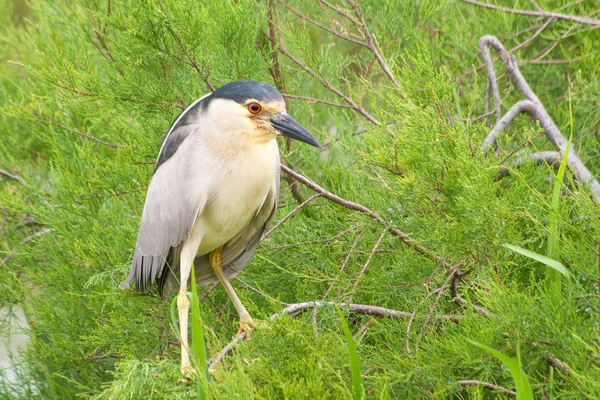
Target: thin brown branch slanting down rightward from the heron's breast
x,y
371,214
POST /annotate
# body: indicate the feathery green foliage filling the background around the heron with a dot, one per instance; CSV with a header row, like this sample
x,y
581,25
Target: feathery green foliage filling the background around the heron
x,y
88,90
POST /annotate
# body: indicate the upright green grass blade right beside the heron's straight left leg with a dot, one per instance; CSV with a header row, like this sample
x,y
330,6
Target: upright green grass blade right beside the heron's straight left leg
x,y
198,348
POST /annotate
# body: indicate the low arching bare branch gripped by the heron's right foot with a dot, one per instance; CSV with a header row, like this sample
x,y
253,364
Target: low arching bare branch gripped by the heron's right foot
x,y
296,309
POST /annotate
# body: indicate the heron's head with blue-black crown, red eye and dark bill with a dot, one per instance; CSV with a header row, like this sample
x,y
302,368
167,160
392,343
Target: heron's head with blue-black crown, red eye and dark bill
x,y
254,109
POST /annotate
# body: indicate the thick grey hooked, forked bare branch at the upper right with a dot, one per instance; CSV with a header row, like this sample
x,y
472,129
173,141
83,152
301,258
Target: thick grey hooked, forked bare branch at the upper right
x,y
534,108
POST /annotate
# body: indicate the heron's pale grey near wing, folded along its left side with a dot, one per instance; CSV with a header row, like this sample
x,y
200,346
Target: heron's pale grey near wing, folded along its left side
x,y
169,213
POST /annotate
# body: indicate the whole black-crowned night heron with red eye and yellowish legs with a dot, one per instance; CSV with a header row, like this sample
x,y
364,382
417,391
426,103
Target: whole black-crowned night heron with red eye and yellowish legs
x,y
213,193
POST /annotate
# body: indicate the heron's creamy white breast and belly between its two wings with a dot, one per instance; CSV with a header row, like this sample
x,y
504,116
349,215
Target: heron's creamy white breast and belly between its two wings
x,y
239,190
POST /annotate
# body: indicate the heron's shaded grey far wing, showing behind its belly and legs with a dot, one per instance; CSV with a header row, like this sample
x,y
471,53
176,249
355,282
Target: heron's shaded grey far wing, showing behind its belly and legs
x,y
237,252
